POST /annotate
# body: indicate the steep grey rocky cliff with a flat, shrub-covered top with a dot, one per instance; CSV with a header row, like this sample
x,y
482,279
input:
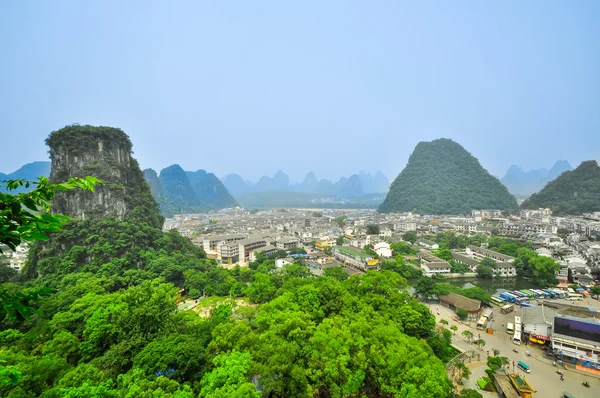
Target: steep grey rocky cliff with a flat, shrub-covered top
x,y
103,152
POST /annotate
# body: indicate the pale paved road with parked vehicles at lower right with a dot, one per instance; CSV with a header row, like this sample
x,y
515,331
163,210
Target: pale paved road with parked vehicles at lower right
x,y
543,376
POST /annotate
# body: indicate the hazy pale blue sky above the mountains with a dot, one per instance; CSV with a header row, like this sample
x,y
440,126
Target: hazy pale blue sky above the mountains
x,y
330,86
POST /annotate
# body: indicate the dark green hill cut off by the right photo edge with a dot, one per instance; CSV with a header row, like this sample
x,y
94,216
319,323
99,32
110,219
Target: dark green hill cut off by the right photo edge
x,y
573,192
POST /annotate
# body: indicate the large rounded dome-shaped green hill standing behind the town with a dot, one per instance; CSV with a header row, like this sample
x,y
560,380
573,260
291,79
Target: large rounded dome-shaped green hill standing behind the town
x,y
442,177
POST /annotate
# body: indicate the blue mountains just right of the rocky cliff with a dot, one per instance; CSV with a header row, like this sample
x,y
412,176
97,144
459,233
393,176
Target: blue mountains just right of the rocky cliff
x,y
179,191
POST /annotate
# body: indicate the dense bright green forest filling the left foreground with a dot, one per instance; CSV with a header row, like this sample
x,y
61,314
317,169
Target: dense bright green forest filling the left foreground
x,y
111,325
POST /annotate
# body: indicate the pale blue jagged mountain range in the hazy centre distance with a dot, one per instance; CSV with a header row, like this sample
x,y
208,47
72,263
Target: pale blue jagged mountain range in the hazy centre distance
x,y
353,186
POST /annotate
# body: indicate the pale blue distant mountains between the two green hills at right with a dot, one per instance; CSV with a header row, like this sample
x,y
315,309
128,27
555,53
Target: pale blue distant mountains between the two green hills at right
x,y
523,183
